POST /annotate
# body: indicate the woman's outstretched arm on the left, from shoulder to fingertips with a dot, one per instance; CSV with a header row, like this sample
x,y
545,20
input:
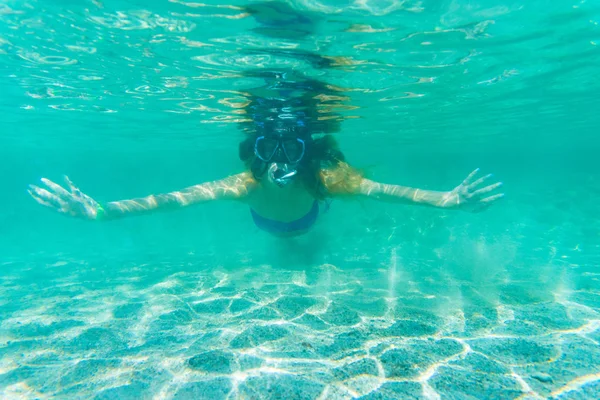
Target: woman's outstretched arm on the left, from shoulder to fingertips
x,y
72,201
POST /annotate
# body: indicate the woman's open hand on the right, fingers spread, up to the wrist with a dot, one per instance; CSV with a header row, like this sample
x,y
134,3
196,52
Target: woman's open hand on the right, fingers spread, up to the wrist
x,y
471,196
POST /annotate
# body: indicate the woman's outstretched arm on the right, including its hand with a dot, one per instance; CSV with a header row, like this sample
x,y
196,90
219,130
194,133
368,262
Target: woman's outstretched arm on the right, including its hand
x,y
470,195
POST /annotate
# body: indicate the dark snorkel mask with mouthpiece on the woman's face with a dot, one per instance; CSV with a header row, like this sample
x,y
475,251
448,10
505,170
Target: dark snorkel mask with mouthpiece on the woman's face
x,y
283,153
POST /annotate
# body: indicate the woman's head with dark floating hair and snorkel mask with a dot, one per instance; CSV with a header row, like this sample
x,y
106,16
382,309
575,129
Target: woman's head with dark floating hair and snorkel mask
x,y
287,132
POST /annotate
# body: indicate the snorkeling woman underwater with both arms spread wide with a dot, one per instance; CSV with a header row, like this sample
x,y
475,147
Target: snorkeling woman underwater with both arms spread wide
x,y
293,165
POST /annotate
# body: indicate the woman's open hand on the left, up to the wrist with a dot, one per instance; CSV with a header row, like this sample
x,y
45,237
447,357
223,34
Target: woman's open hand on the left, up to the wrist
x,y
73,203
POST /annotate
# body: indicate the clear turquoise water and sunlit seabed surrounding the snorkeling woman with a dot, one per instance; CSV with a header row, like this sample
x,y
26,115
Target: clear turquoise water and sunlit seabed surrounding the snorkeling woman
x,y
379,301
